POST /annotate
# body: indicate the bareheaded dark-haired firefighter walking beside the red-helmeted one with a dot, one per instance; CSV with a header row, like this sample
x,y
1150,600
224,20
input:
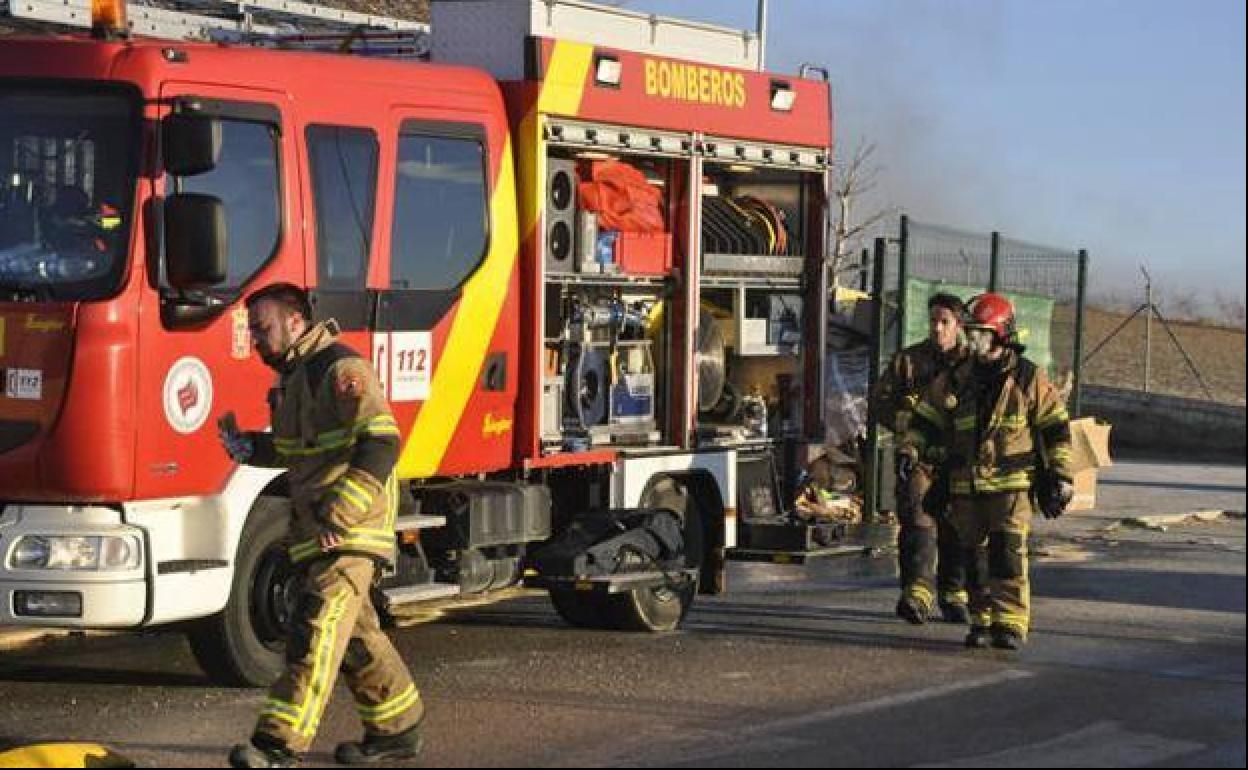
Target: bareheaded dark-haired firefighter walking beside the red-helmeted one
x,y
928,552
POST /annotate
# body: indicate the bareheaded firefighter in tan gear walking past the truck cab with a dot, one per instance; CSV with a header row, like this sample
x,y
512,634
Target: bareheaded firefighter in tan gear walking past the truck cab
x,y
335,435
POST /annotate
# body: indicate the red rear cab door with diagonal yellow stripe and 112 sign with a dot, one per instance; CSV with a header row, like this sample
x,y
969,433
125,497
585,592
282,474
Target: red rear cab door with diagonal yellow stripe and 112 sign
x,y
447,325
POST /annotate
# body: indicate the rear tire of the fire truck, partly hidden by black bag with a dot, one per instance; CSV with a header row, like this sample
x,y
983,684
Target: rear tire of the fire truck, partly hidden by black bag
x,y
662,610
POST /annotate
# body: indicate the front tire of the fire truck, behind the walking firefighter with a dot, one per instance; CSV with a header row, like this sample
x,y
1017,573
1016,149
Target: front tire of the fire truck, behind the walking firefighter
x,y
244,645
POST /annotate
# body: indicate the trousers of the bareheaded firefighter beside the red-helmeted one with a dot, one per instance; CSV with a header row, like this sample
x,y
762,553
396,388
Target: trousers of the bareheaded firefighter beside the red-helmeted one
x,y
929,552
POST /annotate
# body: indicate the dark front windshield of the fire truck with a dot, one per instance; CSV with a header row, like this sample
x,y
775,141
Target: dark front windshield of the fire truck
x,y
68,168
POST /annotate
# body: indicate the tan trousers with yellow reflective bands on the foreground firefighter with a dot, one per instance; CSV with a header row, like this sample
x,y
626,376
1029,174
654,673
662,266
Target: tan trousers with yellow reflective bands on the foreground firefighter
x,y
335,626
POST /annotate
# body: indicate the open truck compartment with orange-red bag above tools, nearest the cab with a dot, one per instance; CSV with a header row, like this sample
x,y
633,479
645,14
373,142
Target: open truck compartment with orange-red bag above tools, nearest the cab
x,y
611,217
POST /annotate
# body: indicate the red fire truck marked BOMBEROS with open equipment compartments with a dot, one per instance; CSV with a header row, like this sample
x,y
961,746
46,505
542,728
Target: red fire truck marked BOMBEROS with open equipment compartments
x,y
585,249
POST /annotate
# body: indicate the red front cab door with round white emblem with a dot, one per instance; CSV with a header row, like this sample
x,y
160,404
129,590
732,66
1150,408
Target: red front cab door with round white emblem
x,y
195,355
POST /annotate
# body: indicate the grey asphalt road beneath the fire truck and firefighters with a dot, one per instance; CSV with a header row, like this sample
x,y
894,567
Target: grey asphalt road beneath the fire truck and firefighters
x,y
1138,660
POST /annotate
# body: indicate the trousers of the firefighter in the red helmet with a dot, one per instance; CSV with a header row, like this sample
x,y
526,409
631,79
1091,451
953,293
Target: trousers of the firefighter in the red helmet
x,y
1000,590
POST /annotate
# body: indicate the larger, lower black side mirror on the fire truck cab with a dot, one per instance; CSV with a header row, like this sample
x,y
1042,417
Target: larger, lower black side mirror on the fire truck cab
x,y
197,243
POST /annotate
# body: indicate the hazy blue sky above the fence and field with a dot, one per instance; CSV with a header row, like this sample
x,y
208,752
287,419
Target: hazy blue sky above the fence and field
x,y
1114,125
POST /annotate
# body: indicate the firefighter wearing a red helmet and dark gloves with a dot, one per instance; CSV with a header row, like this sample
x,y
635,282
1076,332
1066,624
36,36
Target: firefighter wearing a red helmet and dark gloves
x,y
1002,430
